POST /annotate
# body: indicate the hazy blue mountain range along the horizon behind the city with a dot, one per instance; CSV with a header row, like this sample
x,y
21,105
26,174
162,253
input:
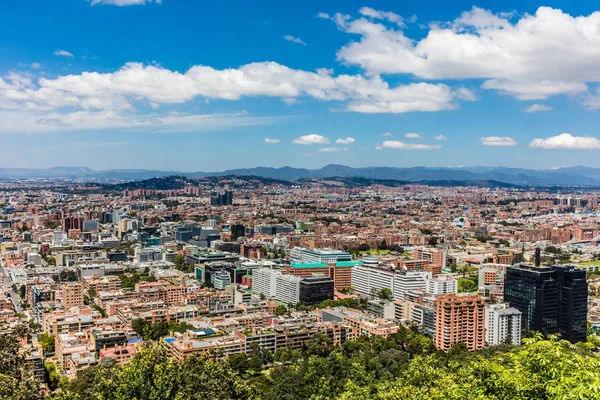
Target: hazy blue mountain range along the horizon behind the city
x,y
569,176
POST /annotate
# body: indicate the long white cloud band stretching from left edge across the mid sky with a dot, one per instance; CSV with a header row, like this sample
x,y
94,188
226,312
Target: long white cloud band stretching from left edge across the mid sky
x,y
135,83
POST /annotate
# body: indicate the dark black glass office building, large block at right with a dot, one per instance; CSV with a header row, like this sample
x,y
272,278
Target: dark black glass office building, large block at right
x,y
552,299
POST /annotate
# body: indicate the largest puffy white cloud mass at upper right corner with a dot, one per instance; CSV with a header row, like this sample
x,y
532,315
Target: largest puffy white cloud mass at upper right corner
x,y
512,54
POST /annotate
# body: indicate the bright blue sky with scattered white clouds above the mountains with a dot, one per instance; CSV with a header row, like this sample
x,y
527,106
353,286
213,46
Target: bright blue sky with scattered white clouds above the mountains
x,y
193,85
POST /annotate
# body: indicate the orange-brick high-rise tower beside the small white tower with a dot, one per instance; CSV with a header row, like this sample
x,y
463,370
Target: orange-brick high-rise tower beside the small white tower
x,y
459,319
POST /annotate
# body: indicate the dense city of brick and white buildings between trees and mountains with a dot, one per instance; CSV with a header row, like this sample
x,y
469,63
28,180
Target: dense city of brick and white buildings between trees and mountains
x,y
220,267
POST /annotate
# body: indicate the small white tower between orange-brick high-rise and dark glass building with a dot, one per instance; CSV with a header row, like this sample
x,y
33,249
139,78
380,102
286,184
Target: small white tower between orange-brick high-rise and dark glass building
x,y
501,324
